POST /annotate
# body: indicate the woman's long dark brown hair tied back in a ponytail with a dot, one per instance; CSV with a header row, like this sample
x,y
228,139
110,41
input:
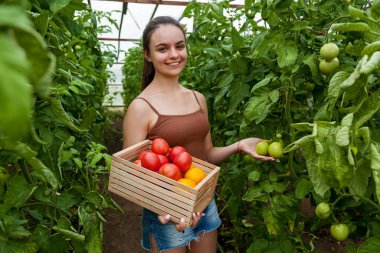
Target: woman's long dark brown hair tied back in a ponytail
x,y
148,69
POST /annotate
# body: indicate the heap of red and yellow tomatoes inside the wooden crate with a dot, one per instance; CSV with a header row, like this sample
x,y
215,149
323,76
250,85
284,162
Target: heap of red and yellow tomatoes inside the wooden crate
x,y
175,163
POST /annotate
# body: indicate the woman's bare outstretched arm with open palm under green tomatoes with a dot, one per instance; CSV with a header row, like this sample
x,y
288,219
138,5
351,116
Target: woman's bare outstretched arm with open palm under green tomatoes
x,y
217,155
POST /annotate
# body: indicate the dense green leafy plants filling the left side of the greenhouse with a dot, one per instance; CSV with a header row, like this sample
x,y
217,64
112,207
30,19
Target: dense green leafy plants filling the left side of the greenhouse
x,y
53,82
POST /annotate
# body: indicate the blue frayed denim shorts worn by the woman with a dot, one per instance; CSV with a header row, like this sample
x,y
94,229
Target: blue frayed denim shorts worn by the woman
x,y
166,235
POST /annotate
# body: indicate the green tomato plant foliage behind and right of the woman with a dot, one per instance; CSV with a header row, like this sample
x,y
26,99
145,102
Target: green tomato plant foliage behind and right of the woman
x,y
264,80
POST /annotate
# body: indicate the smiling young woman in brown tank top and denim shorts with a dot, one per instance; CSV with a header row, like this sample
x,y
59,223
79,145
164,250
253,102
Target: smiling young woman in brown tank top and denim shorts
x,y
168,110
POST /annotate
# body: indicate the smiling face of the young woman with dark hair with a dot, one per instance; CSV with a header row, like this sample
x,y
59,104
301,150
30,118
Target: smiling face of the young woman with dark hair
x,y
167,50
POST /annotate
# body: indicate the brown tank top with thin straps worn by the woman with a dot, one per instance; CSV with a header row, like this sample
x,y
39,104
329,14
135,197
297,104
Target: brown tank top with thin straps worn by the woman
x,y
187,130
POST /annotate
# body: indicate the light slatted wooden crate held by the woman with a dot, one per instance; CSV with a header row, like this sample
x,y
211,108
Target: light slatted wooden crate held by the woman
x,y
156,192
